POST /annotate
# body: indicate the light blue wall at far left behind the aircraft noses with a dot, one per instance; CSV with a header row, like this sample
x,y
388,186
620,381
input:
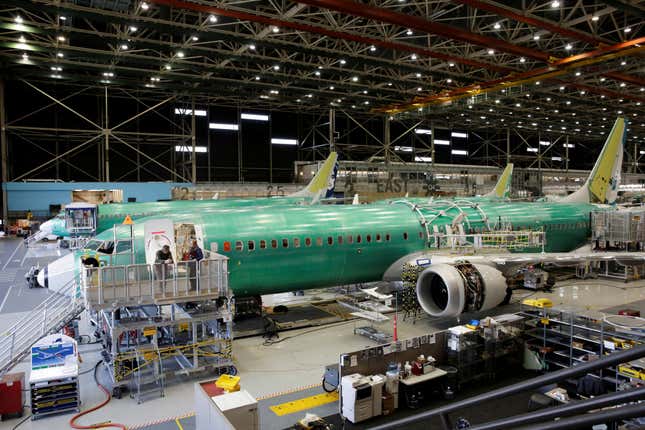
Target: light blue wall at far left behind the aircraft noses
x,y
39,196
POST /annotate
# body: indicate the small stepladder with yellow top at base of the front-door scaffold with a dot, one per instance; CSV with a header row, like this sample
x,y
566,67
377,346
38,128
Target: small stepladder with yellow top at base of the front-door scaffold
x,y
149,377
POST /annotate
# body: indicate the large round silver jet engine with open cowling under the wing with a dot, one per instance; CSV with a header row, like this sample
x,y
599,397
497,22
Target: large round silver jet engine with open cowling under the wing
x,y
446,290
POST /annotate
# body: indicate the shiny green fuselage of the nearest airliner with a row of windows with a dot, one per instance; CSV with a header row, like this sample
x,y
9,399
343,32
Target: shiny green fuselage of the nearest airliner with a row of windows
x,y
279,249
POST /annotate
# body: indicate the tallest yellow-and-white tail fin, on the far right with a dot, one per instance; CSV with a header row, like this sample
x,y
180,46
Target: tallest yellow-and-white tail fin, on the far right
x,y
602,184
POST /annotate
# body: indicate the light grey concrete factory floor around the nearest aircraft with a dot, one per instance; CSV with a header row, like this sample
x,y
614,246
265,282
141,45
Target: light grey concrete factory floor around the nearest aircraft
x,y
297,362
